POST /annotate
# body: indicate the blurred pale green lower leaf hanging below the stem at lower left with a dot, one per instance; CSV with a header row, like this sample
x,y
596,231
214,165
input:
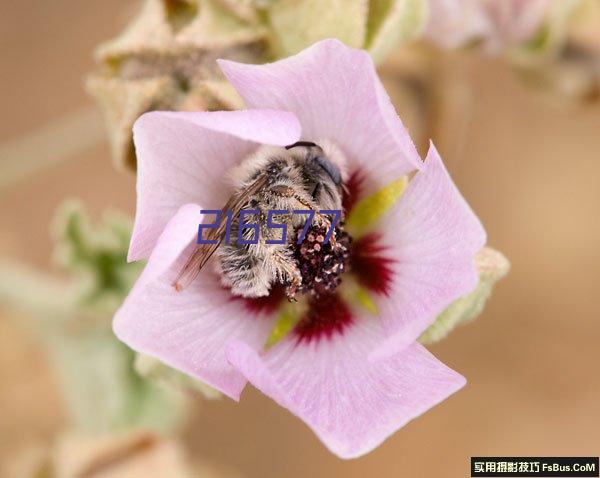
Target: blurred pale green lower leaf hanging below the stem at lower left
x,y
103,391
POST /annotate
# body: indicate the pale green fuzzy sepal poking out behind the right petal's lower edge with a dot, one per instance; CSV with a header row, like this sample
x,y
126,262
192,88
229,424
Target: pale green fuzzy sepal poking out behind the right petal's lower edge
x,y
492,266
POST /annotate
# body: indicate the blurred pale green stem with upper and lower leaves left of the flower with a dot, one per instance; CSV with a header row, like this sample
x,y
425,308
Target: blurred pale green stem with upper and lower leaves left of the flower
x,y
103,392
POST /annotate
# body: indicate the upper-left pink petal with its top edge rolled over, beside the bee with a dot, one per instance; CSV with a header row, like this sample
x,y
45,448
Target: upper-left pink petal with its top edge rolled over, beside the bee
x,y
183,158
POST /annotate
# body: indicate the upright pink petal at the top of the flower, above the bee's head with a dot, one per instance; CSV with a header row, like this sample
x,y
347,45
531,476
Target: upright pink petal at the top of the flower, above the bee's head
x,y
336,94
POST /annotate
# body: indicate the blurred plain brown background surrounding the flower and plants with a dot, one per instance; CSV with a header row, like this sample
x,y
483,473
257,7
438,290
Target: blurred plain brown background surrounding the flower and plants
x,y
527,162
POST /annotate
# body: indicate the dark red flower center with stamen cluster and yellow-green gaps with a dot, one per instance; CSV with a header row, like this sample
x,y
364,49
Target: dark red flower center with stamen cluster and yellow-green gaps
x,y
327,308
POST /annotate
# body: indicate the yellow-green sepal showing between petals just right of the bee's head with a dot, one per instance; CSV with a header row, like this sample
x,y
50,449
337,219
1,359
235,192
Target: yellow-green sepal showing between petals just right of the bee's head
x,y
369,209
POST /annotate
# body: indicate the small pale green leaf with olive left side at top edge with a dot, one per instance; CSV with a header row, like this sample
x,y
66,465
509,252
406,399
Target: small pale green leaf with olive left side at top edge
x,y
392,22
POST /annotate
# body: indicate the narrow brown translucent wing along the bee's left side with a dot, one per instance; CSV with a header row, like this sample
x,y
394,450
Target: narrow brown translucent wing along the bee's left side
x,y
204,252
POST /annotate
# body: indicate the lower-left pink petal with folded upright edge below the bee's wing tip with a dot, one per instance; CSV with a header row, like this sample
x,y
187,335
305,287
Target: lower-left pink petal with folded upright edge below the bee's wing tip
x,y
187,330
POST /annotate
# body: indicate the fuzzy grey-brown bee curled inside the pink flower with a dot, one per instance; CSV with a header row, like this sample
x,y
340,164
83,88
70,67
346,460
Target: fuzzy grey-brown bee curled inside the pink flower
x,y
301,176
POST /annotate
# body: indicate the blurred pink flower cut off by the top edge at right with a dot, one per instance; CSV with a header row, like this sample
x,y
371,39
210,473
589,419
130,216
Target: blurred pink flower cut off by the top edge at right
x,y
498,23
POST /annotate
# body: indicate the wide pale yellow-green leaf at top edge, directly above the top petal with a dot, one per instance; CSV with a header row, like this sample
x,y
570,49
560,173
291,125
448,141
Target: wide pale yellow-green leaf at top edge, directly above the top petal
x,y
297,24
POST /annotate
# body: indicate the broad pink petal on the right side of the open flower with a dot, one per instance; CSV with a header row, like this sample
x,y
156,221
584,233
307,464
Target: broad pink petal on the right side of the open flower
x,y
432,236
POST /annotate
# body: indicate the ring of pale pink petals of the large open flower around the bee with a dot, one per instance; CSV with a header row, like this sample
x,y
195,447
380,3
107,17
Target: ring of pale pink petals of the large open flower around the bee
x,y
353,377
